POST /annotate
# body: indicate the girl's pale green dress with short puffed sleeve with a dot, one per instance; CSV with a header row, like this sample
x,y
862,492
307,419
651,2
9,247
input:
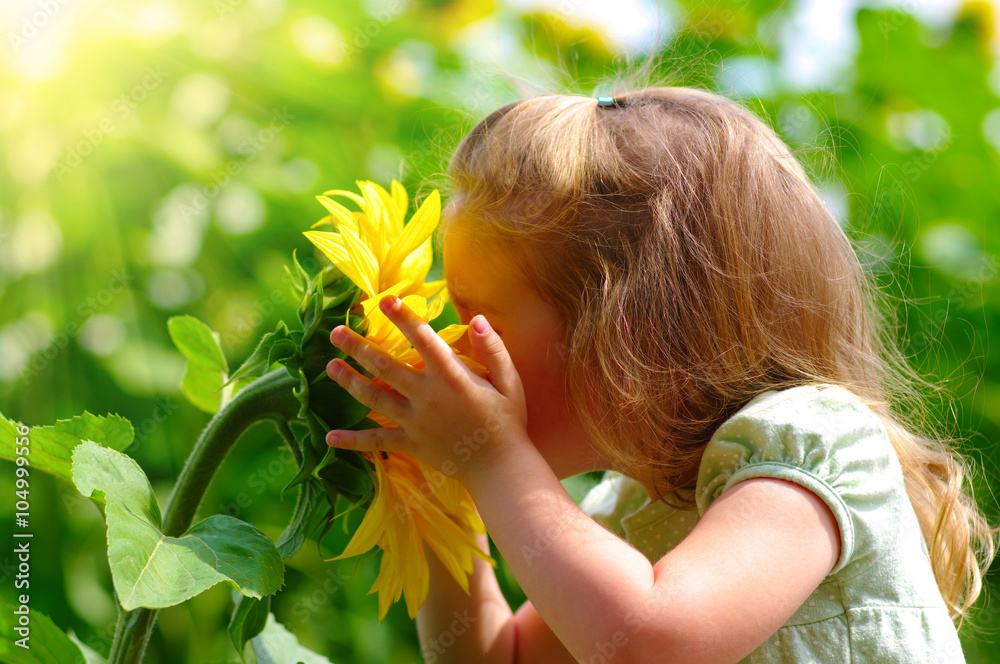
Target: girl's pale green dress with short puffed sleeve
x,y
880,603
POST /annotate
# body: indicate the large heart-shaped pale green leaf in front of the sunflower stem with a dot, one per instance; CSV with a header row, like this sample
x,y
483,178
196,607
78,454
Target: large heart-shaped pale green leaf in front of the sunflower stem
x,y
152,570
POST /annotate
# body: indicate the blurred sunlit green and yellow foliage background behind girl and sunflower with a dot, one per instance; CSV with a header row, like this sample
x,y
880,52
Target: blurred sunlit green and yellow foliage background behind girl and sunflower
x,y
161,157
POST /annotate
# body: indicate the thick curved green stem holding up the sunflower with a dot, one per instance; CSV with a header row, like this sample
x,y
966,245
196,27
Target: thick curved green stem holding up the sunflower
x,y
267,398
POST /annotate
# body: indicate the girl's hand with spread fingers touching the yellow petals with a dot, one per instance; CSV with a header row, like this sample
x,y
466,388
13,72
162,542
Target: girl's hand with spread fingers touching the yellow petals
x,y
444,410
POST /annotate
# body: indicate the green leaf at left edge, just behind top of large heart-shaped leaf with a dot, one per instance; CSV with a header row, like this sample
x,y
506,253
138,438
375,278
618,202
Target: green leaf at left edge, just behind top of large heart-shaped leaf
x,y
51,447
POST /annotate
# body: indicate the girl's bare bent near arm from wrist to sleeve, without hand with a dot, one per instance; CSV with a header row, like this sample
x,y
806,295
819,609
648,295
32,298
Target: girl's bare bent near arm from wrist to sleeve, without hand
x,y
757,553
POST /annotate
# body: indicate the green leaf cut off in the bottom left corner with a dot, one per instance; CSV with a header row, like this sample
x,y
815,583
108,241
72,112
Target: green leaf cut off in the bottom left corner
x,y
47,644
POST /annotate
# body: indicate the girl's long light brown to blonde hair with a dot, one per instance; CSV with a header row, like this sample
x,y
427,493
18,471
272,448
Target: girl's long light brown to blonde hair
x,y
689,255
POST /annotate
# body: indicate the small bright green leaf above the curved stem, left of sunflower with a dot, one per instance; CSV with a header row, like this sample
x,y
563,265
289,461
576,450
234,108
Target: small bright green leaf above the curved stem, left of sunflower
x,y
206,371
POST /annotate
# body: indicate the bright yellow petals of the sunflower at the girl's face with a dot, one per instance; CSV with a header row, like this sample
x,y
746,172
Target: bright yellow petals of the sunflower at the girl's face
x,y
413,503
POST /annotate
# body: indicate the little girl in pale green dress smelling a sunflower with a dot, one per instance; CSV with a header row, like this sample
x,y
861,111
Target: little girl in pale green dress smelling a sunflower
x,y
658,291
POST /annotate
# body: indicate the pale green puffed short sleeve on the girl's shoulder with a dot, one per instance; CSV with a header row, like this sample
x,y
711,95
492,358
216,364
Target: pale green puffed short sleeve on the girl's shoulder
x,y
824,439
